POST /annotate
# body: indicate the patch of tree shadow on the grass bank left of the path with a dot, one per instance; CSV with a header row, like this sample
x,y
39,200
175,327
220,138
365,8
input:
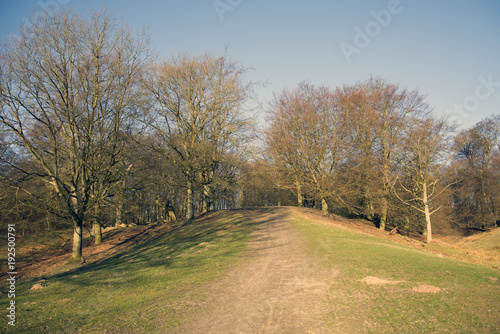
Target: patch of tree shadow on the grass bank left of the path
x,y
168,249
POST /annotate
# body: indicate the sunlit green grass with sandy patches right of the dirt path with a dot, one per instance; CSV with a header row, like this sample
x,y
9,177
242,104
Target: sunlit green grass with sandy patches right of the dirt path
x,y
468,303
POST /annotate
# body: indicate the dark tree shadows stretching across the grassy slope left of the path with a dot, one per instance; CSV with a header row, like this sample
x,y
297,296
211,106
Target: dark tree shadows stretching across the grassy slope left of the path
x,y
193,244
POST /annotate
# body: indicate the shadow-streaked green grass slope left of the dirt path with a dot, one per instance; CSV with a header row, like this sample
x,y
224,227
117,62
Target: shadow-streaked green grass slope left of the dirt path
x,y
149,289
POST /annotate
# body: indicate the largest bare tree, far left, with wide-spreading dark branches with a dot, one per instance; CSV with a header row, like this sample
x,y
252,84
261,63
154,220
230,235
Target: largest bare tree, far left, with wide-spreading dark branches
x,y
68,87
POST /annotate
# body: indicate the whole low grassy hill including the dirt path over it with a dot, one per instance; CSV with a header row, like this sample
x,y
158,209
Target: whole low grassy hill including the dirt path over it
x,y
262,270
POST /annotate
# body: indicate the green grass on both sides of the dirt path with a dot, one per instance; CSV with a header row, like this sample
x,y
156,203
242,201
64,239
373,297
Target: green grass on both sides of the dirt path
x,y
159,284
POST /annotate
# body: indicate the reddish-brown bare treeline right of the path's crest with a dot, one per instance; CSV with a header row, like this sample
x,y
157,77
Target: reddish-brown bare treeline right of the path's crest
x,y
374,150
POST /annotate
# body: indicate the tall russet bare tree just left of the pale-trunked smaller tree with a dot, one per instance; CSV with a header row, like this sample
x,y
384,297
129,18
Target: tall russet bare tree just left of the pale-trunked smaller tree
x,y
379,113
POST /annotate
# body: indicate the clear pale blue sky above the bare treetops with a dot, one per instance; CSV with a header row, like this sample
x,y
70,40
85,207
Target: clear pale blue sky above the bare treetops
x,y
447,49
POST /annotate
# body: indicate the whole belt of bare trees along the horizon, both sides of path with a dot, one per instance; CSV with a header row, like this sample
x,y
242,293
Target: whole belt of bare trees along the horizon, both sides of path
x,y
97,131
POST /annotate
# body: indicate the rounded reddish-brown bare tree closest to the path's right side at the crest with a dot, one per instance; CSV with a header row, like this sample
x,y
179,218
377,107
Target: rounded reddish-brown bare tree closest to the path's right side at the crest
x,y
307,135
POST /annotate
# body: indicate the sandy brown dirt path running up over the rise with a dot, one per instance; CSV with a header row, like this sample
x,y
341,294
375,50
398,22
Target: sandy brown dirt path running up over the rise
x,y
278,289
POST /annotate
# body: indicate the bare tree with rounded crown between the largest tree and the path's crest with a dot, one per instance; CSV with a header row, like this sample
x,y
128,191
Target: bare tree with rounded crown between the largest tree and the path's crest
x,y
197,115
